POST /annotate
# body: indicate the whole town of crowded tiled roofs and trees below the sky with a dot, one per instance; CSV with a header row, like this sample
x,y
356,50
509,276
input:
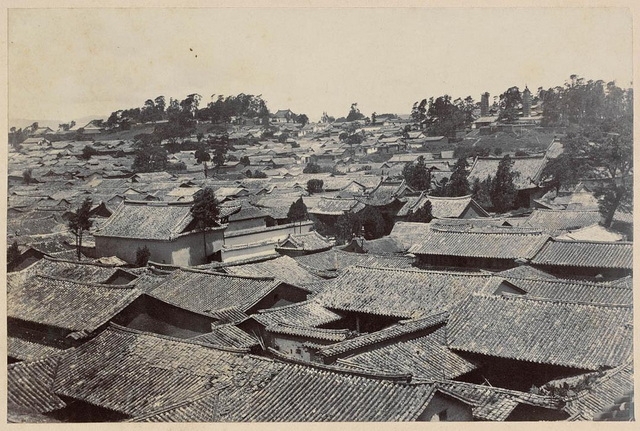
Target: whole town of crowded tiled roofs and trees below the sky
x,y
220,262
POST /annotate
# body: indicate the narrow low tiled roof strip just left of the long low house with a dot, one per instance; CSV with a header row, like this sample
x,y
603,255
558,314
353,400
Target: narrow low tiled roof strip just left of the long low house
x,y
333,260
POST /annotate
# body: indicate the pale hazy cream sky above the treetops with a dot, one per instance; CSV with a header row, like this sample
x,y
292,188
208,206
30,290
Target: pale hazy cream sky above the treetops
x,y
66,64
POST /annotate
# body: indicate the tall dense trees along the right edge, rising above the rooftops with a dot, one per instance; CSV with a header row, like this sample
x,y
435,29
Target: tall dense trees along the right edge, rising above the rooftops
x,y
599,141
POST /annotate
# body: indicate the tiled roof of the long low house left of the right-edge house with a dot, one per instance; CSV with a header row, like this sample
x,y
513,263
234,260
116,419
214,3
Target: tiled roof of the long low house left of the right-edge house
x,y
503,244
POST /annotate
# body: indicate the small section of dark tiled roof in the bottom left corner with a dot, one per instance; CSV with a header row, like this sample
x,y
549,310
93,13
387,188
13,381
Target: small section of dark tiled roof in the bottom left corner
x,y
29,386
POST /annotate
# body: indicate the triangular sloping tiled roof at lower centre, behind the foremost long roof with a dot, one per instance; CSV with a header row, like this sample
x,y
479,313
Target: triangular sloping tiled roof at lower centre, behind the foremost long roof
x,y
424,357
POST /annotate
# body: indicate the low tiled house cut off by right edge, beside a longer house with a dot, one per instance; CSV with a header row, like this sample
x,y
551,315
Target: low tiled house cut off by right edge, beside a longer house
x,y
585,259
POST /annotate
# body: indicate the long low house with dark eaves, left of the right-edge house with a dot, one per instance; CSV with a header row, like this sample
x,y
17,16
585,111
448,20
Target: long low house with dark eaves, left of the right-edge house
x,y
488,248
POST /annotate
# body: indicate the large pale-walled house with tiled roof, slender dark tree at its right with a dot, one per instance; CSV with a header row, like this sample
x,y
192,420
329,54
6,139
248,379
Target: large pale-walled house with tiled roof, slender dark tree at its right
x,y
166,229
